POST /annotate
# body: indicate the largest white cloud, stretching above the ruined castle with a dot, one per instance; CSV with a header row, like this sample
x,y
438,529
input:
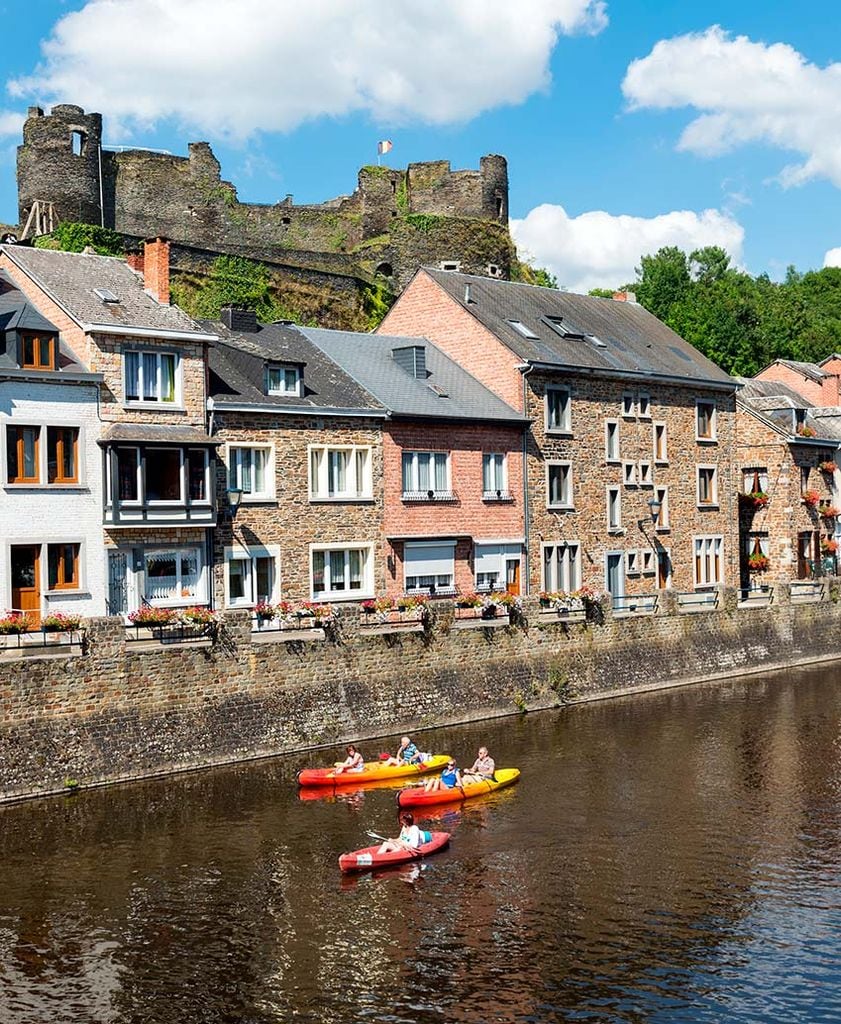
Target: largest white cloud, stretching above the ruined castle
x,y
233,69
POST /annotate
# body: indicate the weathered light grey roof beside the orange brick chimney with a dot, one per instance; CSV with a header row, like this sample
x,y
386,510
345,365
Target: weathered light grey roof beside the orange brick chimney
x,y
72,278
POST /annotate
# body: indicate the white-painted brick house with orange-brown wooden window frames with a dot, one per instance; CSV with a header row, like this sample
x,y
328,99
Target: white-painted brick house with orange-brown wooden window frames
x,y
53,559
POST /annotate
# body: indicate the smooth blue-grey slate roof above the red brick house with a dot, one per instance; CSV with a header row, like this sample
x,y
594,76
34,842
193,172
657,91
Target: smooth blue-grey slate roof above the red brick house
x,y
369,360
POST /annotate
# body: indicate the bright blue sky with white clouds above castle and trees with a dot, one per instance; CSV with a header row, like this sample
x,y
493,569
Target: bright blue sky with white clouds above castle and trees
x,y
627,125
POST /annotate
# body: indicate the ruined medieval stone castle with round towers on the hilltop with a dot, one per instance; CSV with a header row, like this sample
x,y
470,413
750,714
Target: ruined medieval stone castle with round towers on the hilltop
x,y
394,222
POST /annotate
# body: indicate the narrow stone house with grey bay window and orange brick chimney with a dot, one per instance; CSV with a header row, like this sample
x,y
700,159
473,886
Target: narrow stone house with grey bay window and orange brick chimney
x,y
158,460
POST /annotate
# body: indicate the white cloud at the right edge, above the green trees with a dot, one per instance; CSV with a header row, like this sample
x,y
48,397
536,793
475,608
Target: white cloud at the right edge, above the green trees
x,y
745,93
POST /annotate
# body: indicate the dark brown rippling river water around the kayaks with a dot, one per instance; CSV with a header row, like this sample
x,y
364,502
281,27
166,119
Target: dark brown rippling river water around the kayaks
x,y
671,858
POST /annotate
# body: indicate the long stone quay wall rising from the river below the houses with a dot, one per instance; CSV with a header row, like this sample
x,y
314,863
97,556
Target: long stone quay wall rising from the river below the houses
x,y
115,711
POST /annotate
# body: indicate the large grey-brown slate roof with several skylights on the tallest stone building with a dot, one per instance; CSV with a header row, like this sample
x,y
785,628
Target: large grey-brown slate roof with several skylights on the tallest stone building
x,y
634,340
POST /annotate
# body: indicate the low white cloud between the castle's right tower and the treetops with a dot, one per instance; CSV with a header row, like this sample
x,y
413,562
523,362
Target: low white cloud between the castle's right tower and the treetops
x,y
601,250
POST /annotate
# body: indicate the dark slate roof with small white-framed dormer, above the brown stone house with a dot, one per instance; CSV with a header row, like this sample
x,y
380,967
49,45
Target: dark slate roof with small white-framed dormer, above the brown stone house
x,y
238,371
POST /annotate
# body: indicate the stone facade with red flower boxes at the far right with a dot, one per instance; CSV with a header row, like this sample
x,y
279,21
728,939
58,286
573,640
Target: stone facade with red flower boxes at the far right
x,y
788,531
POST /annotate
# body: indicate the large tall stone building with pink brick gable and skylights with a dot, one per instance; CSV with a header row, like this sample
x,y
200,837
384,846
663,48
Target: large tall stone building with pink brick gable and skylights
x,y
630,456
